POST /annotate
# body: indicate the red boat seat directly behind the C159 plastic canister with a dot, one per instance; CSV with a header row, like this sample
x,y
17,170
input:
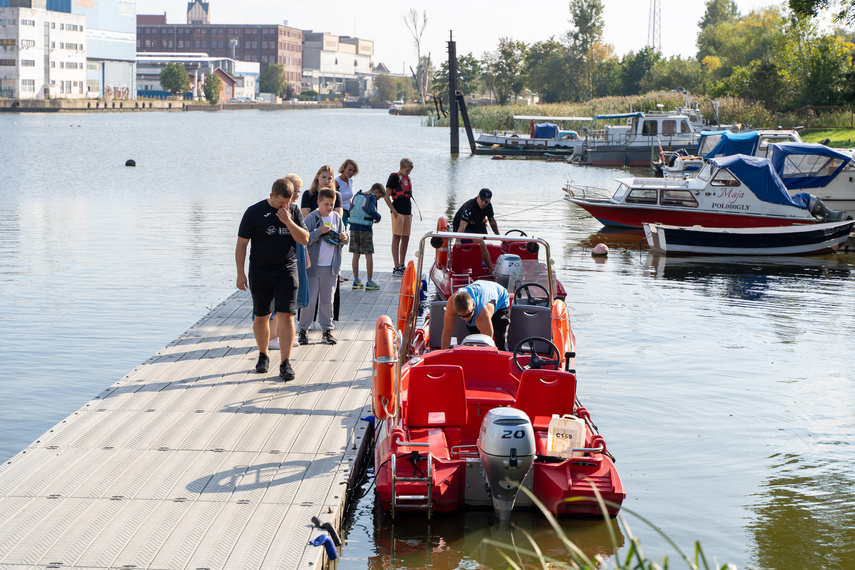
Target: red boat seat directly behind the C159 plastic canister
x,y
543,393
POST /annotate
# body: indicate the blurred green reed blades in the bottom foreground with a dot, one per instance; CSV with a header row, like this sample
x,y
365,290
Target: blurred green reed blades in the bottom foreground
x,y
632,559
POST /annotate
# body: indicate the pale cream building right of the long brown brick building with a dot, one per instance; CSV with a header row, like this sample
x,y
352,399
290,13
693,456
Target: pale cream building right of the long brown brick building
x,y
337,64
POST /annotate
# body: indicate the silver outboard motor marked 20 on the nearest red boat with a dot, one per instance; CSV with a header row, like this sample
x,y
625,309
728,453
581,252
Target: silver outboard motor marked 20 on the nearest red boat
x,y
507,449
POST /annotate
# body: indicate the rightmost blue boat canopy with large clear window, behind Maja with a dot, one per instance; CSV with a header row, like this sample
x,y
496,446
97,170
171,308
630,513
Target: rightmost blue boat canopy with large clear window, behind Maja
x,y
807,165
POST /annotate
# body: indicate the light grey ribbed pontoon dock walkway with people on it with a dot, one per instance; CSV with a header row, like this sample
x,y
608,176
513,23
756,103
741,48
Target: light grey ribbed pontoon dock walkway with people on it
x,y
194,460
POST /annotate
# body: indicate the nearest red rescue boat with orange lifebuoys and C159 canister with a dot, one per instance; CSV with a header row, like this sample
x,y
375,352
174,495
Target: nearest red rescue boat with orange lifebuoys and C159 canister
x,y
467,426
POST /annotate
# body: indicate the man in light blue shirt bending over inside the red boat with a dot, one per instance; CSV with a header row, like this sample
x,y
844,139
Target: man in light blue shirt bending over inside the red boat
x,y
483,306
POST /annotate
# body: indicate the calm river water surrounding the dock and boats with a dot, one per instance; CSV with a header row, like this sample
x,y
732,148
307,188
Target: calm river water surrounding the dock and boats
x,y
723,387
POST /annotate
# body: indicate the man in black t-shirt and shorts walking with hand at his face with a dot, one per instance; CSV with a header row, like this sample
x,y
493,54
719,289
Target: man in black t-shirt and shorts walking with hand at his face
x,y
275,227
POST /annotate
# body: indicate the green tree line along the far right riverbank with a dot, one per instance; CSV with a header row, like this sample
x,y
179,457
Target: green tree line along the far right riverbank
x,y
776,57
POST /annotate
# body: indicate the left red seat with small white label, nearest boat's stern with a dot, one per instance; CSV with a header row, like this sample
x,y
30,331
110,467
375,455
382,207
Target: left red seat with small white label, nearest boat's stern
x,y
436,396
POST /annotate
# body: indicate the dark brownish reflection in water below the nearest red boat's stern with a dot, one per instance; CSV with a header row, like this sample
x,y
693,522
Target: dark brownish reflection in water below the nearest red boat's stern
x,y
457,541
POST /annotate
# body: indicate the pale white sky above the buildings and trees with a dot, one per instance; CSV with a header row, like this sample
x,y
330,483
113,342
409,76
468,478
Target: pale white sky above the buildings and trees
x,y
477,26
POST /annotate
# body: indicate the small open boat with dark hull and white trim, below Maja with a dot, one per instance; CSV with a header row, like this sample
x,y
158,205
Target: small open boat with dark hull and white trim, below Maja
x,y
776,240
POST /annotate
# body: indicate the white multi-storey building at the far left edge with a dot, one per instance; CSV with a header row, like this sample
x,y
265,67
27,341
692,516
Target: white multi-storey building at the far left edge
x,y
42,53
